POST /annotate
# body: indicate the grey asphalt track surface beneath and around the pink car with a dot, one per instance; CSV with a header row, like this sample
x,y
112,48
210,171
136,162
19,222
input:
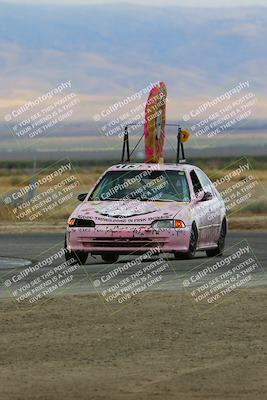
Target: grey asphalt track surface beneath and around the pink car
x,y
16,250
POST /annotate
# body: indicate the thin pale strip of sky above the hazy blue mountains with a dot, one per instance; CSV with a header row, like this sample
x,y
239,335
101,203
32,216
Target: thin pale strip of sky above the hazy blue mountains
x,y
203,3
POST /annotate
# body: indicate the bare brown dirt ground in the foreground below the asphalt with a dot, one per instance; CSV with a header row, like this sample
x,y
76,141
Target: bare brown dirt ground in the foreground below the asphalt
x,y
158,347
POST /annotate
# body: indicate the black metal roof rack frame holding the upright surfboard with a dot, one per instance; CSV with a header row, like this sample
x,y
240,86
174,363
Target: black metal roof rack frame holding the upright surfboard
x,y
126,154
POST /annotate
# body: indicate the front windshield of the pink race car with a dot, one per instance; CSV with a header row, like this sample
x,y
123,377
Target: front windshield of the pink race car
x,y
142,185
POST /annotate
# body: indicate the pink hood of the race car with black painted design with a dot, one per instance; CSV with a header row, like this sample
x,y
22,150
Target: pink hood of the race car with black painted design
x,y
127,211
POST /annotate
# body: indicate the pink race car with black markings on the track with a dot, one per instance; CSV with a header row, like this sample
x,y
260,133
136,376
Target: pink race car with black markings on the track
x,y
136,207
